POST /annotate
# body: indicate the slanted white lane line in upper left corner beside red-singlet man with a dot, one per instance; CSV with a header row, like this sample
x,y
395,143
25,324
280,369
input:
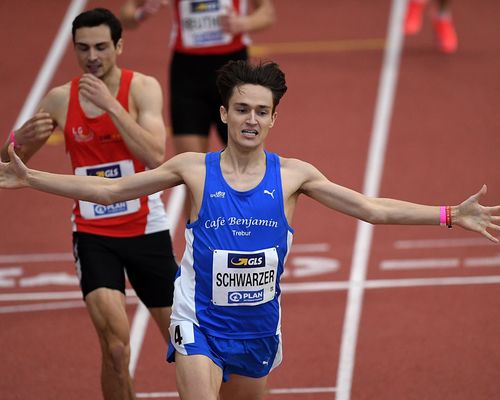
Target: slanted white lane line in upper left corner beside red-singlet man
x,y
50,64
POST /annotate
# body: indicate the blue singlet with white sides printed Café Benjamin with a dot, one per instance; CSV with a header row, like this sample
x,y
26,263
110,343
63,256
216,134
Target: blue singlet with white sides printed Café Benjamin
x,y
228,281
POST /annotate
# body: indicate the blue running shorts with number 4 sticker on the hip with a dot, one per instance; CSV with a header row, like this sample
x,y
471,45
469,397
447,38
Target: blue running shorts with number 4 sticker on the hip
x,y
254,358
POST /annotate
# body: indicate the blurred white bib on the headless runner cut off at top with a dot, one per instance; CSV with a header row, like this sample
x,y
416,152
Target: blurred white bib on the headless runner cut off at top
x,y
200,25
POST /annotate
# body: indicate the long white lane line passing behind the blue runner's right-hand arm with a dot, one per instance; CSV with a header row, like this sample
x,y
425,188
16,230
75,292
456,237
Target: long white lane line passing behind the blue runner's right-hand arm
x,y
373,173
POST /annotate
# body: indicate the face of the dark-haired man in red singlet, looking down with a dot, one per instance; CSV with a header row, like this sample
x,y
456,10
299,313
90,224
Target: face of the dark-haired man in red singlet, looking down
x,y
95,51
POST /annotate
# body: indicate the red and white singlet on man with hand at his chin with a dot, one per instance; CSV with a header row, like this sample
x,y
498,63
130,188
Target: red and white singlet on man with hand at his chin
x,y
97,148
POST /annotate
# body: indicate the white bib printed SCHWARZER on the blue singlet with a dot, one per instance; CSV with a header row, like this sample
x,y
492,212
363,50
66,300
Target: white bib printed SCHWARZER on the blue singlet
x,y
244,278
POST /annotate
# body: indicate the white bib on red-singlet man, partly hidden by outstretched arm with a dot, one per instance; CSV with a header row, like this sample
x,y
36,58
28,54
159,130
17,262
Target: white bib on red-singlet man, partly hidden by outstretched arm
x,y
117,169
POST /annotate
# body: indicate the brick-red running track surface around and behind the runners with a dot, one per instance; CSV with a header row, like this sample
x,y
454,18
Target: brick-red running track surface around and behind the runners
x,y
428,326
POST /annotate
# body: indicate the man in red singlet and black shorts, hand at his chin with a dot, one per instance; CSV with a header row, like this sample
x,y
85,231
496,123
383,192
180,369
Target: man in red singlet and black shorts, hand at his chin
x,y
113,127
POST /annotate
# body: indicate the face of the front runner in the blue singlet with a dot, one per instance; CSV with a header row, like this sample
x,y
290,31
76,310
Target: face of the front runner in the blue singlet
x,y
249,116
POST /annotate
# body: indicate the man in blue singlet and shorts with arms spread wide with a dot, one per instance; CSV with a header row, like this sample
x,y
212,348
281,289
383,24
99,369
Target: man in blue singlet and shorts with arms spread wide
x,y
226,314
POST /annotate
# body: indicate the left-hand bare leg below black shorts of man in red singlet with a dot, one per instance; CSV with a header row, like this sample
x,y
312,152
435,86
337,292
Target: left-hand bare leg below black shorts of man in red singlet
x,y
107,311
